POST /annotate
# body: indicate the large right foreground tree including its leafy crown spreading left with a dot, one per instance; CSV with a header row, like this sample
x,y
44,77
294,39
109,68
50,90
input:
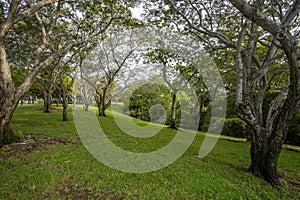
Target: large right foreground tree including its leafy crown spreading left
x,y
274,34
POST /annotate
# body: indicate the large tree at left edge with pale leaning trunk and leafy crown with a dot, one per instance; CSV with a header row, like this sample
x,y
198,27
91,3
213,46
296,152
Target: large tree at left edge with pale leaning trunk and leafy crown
x,y
47,16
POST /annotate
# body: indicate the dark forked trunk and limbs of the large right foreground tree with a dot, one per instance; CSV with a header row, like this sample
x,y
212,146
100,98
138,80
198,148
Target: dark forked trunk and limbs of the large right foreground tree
x,y
269,134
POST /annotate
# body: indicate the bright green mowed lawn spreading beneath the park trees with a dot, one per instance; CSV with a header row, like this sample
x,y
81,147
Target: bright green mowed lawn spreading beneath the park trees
x,y
66,170
